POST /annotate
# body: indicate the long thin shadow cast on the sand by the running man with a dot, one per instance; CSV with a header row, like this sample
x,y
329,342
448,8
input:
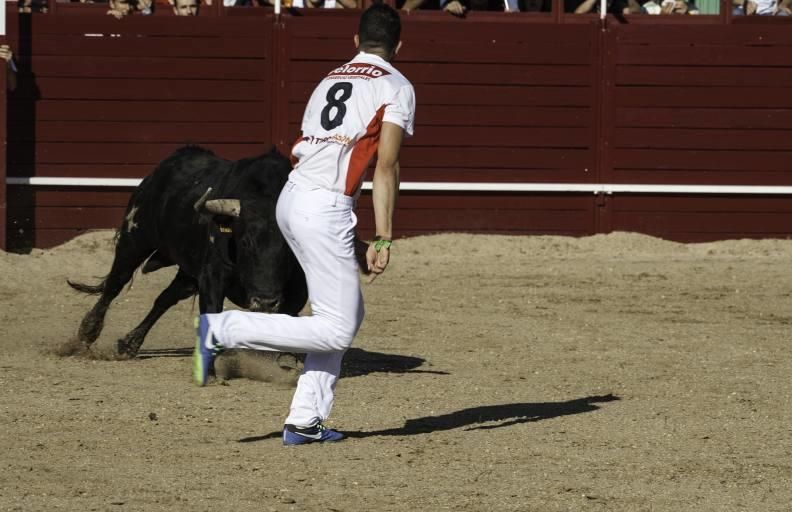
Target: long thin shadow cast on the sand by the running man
x,y
479,418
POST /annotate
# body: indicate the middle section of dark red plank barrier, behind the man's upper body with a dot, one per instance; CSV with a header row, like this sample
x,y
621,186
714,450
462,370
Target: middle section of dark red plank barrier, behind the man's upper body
x,y
499,104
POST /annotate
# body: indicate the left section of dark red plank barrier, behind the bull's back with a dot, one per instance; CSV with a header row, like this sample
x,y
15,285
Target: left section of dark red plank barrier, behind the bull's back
x,y
109,98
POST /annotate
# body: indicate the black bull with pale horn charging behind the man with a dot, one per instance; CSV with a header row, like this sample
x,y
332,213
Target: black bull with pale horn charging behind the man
x,y
226,242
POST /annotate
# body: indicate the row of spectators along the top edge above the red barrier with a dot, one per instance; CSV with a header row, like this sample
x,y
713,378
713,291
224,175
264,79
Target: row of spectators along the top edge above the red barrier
x,y
121,8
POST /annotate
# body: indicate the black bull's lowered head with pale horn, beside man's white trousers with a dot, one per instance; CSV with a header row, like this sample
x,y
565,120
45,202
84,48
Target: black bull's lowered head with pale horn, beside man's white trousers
x,y
245,232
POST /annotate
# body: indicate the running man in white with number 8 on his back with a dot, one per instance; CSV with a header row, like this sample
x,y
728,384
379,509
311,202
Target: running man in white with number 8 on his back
x,y
361,108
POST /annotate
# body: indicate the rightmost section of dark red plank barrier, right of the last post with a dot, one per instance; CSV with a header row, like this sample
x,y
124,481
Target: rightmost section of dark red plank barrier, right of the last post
x,y
701,105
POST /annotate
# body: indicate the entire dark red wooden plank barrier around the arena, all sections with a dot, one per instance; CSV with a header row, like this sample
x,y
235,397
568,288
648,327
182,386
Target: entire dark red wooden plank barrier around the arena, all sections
x,y
526,98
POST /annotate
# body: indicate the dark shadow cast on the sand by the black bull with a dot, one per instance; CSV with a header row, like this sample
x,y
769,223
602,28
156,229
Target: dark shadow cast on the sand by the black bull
x,y
357,362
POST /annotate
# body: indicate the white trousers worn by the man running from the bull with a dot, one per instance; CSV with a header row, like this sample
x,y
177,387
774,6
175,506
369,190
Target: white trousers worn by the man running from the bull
x,y
319,226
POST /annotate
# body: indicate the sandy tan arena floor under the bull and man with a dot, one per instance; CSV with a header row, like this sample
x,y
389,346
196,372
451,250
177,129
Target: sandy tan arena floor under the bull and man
x,y
611,373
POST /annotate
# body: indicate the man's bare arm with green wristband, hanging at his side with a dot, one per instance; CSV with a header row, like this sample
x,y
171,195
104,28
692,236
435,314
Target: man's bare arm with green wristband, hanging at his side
x,y
384,193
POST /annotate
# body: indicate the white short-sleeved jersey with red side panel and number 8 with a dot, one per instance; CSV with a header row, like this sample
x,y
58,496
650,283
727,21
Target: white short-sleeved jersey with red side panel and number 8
x,y
342,121
